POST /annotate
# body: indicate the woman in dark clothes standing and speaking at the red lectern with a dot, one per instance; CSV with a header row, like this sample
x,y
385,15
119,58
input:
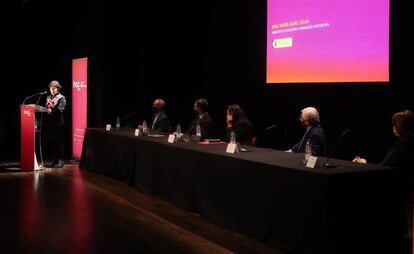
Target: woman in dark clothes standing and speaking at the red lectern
x,y
55,122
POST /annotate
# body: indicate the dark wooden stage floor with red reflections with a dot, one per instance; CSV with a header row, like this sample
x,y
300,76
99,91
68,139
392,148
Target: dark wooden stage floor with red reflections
x,y
69,210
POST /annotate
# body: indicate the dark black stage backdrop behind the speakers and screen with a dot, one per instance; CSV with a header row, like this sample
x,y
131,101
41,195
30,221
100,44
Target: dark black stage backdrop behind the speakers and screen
x,y
183,50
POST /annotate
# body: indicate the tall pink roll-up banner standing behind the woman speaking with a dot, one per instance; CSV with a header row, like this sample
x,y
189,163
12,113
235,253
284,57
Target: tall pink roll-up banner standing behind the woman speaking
x,y
79,104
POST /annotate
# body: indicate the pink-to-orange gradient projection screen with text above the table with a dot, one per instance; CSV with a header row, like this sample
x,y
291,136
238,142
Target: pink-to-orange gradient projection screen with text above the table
x,y
331,41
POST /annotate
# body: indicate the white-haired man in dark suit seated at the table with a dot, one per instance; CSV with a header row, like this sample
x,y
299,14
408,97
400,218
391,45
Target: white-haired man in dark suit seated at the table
x,y
309,118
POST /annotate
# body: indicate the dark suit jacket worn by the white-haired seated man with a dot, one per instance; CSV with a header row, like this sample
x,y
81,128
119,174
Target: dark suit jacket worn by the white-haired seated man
x,y
316,135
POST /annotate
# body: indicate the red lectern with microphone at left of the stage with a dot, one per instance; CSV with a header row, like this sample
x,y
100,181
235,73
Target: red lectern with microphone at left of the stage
x,y
28,136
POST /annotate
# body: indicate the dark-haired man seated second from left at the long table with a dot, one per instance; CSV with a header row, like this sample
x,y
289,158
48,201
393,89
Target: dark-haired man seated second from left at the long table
x,y
202,119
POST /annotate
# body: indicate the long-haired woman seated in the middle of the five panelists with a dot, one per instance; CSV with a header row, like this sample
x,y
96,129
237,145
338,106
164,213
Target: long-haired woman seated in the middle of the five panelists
x,y
238,122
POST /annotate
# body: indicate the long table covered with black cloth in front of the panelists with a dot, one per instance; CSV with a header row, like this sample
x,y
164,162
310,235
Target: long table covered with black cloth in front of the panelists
x,y
267,194
